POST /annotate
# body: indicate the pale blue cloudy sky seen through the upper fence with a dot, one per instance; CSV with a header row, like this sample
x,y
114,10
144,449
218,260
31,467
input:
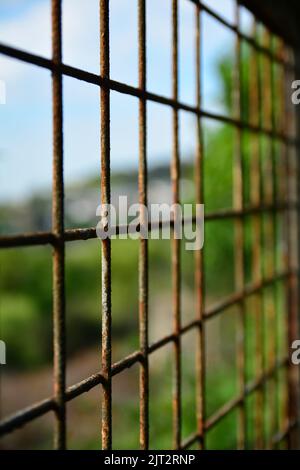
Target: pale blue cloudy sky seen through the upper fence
x,y
25,127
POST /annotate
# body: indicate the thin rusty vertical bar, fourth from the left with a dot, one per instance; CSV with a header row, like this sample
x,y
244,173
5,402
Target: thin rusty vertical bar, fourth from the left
x,y
175,175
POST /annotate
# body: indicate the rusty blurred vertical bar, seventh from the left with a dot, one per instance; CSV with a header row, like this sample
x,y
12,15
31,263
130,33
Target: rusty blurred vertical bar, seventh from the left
x,y
255,197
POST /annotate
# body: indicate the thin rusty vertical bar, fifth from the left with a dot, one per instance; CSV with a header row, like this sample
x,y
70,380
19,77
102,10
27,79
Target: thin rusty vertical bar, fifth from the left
x,y
199,264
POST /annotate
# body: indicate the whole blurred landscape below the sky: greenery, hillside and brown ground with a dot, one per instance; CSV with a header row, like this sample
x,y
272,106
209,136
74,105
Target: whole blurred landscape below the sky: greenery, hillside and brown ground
x,y
26,305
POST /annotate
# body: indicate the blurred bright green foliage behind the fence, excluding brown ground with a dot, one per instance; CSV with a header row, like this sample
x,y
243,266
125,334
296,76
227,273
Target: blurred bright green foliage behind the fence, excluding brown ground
x,y
26,298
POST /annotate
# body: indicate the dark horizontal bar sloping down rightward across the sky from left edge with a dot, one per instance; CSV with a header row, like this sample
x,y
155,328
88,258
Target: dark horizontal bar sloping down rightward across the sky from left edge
x,y
139,93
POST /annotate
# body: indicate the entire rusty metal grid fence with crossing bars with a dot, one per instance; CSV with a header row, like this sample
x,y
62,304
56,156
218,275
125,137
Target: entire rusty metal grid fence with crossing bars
x,y
274,199
